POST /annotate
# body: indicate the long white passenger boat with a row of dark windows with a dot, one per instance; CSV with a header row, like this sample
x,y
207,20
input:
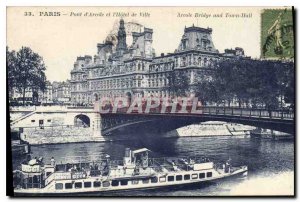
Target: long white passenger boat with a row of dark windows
x,y
101,174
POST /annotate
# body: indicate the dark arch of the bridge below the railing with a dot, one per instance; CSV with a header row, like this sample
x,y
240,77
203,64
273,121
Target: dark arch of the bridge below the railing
x,y
173,121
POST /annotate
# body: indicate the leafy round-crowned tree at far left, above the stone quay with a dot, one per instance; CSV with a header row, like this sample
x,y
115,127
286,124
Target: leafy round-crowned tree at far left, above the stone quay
x,y
28,71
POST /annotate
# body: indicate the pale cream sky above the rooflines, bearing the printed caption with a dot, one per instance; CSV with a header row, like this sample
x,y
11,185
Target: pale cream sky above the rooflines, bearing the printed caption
x,y
60,39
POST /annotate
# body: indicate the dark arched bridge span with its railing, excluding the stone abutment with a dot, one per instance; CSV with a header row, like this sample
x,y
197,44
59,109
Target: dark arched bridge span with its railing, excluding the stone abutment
x,y
280,120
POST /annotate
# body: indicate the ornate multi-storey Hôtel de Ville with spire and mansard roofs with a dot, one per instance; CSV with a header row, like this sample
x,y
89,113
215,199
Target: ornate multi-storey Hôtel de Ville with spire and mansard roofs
x,y
119,69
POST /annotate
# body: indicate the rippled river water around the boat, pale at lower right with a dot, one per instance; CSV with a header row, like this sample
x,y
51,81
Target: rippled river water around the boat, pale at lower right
x,y
270,163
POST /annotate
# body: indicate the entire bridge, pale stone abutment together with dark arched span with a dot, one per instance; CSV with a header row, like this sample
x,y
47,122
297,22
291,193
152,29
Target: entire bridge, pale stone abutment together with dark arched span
x,y
75,124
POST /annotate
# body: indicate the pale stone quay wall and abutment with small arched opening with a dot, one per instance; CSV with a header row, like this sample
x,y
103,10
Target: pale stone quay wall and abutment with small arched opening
x,y
51,125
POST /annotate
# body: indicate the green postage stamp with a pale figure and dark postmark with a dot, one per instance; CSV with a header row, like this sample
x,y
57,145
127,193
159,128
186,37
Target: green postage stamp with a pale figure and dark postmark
x,y
277,35
